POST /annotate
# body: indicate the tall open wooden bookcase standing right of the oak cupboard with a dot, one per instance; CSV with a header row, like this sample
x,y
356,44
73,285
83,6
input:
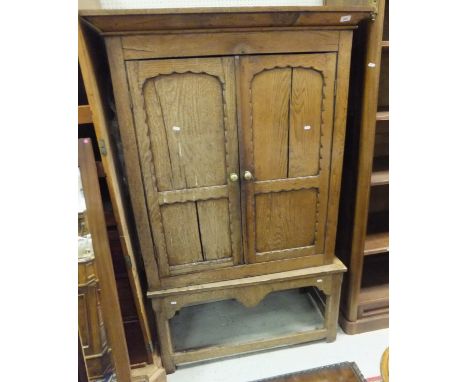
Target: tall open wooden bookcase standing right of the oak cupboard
x,y
363,229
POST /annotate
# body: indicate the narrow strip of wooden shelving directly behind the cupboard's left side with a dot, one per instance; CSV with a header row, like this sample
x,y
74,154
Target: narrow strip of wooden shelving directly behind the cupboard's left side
x,y
94,116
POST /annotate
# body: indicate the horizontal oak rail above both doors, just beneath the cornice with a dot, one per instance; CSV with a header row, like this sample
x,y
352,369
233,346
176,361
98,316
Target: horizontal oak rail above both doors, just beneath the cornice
x,y
216,44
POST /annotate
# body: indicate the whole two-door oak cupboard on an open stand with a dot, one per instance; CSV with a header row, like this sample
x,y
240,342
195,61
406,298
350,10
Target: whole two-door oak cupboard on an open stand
x,y
232,123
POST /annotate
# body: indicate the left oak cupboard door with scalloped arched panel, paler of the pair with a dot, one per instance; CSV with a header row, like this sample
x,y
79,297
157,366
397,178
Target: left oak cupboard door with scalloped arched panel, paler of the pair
x,y
185,122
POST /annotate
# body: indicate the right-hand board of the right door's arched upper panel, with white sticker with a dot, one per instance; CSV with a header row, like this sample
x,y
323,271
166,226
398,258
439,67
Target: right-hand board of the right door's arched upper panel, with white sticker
x,y
305,119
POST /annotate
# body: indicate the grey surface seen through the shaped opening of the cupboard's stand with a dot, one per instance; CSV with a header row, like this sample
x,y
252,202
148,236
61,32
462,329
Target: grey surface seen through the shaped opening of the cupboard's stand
x,y
223,322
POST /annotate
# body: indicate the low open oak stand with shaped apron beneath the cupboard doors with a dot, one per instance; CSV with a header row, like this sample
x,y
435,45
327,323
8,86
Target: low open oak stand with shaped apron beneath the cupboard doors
x,y
249,291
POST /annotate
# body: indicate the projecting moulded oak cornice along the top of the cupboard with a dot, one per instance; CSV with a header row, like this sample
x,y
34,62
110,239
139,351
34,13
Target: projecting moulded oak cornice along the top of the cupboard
x,y
118,21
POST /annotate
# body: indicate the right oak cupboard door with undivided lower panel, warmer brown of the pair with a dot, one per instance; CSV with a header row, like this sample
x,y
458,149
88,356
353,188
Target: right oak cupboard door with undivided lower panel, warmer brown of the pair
x,y
287,121
